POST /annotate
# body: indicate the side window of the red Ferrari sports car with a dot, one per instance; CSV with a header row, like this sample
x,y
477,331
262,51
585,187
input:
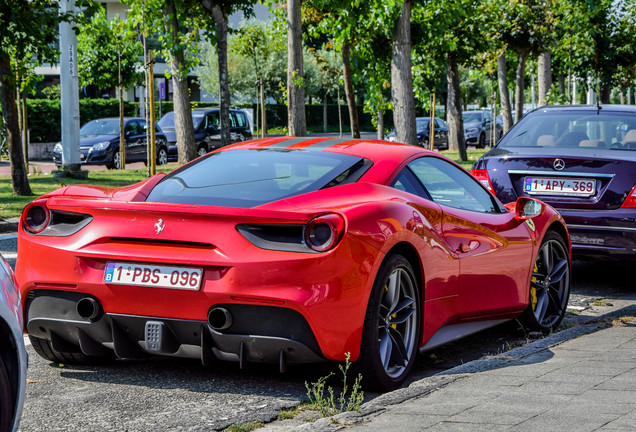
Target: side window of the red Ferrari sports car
x,y
450,186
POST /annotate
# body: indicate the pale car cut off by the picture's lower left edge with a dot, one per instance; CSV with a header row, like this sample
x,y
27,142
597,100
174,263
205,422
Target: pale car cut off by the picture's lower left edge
x,y
13,357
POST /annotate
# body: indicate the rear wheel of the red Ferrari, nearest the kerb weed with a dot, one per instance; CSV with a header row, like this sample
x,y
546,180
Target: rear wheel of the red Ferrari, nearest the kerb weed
x,y
391,327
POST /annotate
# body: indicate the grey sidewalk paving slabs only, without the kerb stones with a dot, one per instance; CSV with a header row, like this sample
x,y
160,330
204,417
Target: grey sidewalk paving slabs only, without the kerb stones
x,y
585,384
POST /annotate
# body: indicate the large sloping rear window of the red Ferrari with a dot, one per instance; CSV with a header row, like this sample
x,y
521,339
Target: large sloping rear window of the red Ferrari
x,y
248,178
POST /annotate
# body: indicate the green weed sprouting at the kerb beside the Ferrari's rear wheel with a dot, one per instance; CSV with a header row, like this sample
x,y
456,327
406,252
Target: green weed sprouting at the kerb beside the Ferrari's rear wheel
x,y
329,405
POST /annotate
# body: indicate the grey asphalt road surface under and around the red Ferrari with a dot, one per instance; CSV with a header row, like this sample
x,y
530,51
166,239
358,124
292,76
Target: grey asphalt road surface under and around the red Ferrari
x,y
173,394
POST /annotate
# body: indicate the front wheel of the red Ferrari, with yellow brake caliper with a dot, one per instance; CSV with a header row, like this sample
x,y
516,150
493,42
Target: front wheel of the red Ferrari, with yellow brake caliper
x,y
549,287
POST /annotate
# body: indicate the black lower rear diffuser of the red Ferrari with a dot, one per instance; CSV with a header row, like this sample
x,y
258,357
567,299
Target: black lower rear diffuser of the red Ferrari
x,y
258,334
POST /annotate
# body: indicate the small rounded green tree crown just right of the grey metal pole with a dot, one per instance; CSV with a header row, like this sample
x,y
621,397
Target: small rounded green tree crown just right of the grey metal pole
x,y
100,43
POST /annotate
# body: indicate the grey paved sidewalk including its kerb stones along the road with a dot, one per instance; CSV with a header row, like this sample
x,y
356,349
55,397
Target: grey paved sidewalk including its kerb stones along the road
x,y
580,379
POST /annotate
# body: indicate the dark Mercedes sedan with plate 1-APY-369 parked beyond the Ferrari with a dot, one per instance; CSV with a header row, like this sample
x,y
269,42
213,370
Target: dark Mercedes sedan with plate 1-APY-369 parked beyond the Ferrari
x,y
582,161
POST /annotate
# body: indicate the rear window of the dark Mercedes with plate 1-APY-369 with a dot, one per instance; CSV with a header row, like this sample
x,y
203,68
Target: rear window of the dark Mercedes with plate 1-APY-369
x,y
598,130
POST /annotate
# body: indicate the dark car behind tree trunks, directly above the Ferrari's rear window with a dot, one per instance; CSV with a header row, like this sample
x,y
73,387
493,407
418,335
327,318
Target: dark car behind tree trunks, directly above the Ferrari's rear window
x,y
207,130
